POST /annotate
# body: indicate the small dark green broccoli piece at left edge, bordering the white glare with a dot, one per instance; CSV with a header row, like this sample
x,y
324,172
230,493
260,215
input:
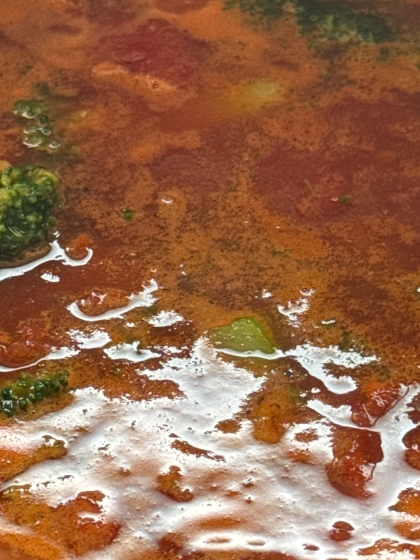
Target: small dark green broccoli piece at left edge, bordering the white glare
x,y
29,390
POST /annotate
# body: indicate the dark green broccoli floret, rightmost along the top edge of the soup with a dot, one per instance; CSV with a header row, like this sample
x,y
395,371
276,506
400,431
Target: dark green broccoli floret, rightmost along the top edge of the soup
x,y
339,22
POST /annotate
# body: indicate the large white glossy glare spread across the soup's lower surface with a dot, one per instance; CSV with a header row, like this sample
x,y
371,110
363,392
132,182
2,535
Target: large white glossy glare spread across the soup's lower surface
x,y
279,504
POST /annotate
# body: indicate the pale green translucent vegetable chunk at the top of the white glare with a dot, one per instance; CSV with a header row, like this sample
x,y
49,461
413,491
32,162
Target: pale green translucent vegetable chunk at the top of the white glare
x,y
243,335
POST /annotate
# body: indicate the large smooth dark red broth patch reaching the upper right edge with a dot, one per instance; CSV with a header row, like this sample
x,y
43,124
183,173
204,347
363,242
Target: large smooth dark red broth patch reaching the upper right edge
x,y
381,146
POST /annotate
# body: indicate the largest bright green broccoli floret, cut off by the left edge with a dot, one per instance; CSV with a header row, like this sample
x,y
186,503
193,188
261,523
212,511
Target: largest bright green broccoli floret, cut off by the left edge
x,y
27,197
